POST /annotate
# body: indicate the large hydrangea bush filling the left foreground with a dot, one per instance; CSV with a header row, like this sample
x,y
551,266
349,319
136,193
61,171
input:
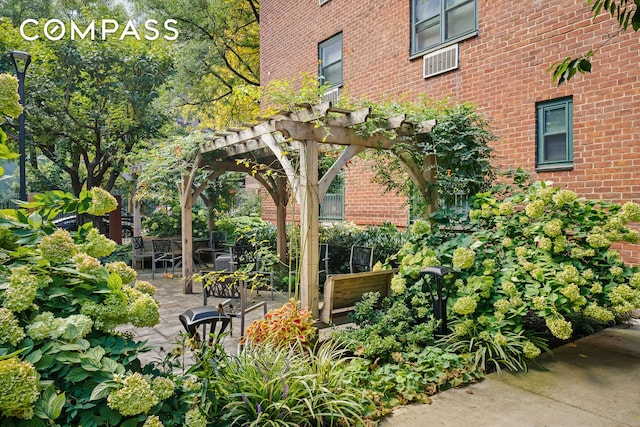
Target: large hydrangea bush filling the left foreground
x,y
61,360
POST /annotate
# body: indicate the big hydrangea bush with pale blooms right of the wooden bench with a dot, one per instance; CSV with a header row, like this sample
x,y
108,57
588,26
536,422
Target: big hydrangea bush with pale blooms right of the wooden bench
x,y
536,264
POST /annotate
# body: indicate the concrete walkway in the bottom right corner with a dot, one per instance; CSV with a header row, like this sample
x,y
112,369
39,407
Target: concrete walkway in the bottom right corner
x,y
594,381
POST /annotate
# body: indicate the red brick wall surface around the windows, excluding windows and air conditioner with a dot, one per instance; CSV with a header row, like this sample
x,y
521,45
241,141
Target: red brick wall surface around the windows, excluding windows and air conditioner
x,y
502,71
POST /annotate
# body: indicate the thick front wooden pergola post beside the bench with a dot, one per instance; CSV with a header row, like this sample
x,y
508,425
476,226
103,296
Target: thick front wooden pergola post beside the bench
x,y
308,192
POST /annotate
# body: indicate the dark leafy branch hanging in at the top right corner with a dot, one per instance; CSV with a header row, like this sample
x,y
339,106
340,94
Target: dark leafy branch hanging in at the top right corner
x,y
626,12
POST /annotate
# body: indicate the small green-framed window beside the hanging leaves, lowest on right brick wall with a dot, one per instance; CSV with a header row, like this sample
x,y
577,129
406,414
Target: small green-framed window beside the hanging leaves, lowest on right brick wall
x,y
554,134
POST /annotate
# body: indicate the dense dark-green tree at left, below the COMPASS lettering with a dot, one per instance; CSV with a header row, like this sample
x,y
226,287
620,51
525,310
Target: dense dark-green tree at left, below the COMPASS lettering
x,y
90,102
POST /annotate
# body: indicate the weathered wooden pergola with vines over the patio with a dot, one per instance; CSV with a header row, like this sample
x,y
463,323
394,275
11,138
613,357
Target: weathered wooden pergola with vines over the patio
x,y
282,154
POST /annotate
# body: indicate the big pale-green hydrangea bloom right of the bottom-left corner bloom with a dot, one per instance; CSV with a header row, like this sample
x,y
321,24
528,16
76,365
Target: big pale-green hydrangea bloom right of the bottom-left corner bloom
x,y
134,397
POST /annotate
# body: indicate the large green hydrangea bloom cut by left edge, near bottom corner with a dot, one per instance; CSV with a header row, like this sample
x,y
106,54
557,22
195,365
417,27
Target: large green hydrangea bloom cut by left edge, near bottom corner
x,y
19,388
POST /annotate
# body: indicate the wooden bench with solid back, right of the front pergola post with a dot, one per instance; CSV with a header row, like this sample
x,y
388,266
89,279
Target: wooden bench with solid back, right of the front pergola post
x,y
343,291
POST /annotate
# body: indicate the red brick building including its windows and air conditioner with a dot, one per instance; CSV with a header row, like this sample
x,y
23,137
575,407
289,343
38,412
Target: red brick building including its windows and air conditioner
x,y
584,135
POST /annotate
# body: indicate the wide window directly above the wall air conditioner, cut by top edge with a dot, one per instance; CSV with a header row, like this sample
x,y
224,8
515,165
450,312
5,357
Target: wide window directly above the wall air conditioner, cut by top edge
x,y
434,22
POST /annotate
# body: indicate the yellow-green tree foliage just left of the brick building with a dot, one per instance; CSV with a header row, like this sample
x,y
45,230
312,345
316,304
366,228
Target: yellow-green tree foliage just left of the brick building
x,y
218,75
